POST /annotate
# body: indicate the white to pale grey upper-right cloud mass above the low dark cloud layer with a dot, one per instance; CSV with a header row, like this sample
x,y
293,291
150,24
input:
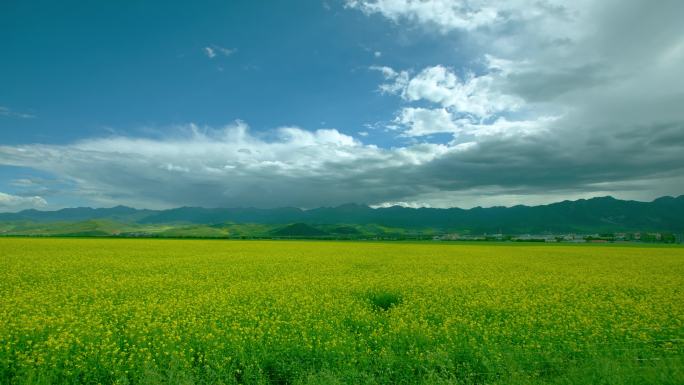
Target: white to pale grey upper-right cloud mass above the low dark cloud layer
x,y
574,71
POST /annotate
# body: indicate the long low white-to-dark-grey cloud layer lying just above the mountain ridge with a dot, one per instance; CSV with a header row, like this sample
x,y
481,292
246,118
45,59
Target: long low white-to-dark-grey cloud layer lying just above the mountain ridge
x,y
290,166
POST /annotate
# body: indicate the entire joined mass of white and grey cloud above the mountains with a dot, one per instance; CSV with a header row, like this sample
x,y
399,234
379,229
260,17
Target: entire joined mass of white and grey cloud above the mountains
x,y
562,100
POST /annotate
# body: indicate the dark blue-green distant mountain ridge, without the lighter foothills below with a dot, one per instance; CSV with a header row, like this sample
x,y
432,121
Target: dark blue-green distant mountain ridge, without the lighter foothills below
x,y
603,214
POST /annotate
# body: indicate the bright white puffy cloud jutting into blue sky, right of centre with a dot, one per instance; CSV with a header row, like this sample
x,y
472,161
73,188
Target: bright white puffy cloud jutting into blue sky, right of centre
x,y
476,105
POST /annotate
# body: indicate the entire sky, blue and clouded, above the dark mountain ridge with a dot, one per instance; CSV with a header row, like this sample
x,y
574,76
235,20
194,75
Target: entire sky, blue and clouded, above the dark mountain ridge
x,y
420,103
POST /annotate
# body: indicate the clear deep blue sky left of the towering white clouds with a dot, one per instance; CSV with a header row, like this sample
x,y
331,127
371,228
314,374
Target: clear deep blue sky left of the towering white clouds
x,y
91,69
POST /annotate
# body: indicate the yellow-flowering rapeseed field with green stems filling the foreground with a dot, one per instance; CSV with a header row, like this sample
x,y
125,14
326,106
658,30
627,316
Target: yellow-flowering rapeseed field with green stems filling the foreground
x,y
205,312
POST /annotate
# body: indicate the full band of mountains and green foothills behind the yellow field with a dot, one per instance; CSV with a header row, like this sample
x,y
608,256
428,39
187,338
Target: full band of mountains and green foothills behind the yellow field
x,y
596,215
